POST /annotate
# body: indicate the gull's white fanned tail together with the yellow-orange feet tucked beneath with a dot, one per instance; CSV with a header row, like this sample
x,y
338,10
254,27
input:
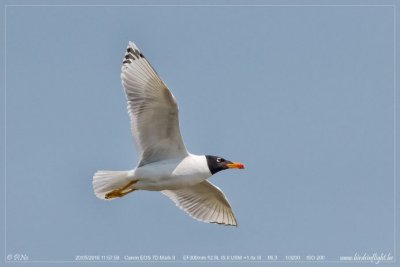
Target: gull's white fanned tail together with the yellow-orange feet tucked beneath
x,y
112,184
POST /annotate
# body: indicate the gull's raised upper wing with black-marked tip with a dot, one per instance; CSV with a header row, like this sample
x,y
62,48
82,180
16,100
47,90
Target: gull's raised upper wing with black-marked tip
x,y
152,108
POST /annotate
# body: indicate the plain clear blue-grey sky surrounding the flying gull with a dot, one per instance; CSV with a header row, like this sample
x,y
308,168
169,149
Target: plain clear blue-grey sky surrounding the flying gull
x,y
304,96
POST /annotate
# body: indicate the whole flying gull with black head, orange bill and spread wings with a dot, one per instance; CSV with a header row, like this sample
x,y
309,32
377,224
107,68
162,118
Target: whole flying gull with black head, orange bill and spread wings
x,y
165,164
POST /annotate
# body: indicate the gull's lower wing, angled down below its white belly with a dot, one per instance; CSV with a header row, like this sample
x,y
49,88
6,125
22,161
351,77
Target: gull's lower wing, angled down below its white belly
x,y
204,202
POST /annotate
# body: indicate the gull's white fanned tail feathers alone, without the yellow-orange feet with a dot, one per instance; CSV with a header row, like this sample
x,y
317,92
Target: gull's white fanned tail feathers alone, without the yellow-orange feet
x,y
107,181
